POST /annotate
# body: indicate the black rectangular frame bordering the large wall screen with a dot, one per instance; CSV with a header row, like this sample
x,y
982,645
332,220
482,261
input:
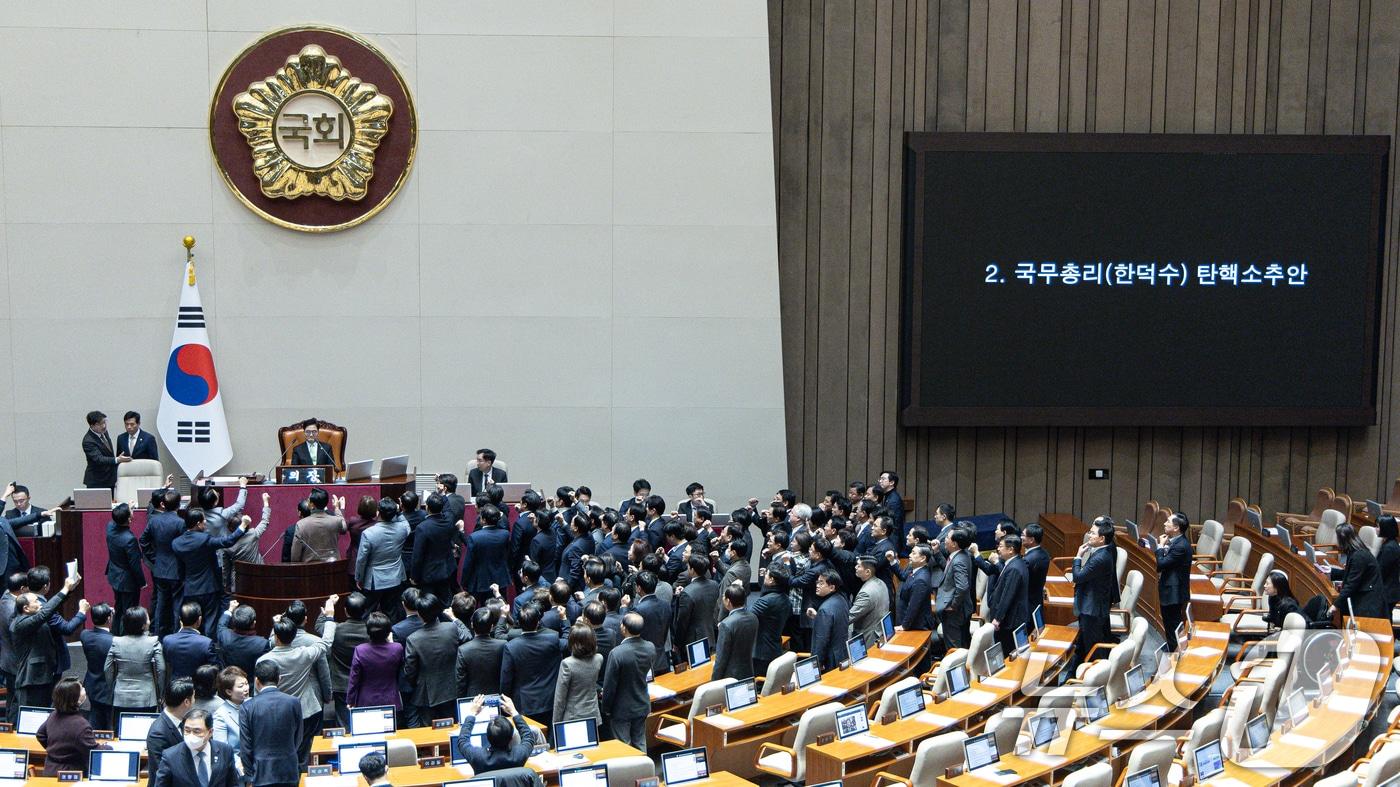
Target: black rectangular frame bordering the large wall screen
x,y
913,356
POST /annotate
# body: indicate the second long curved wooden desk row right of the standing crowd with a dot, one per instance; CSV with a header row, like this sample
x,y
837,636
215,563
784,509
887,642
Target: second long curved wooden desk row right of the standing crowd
x,y
856,765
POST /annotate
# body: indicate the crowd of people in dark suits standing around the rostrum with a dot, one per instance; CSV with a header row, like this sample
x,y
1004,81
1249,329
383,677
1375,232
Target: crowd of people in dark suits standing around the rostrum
x,y
561,607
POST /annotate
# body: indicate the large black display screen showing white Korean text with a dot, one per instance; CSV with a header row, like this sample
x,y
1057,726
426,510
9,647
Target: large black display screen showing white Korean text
x,y
1142,279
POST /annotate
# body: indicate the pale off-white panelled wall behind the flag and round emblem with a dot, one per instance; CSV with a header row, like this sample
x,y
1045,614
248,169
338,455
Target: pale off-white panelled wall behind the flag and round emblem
x,y
594,188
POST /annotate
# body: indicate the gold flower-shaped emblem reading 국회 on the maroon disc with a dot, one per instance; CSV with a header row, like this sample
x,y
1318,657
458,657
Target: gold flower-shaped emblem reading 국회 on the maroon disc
x,y
313,128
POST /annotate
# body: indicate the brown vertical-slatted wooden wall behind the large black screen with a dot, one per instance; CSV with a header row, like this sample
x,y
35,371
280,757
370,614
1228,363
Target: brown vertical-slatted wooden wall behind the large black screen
x,y
852,76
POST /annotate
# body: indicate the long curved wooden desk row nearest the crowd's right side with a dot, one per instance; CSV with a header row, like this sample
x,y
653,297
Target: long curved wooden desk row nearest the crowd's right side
x,y
733,740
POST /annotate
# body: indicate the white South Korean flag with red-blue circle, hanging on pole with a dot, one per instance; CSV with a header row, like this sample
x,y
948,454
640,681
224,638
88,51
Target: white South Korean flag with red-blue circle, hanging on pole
x,y
192,408
